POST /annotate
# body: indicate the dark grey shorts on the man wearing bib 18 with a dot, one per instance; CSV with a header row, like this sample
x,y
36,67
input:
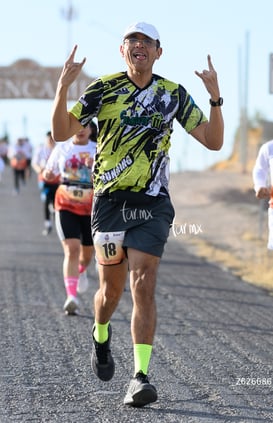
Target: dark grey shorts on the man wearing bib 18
x,y
145,219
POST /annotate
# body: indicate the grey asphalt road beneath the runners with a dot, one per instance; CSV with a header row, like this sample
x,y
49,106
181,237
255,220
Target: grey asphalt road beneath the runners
x,y
212,360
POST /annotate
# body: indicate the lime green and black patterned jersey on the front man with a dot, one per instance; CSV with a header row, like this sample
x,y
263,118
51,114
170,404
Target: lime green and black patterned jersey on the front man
x,y
135,127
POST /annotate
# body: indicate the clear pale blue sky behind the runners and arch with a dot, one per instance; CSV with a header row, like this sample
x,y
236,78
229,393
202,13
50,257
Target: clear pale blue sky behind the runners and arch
x,y
237,34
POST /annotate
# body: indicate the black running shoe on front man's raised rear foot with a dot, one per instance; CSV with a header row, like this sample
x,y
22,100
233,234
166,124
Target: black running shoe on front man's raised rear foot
x,y
101,359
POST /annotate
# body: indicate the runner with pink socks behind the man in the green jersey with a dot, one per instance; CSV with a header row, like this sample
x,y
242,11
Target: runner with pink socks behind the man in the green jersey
x,y
73,161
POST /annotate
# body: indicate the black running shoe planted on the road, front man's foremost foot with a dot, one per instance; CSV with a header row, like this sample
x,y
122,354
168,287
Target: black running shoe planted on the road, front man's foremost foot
x,y
140,391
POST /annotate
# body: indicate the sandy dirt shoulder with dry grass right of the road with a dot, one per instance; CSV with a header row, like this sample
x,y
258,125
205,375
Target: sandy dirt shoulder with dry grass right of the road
x,y
219,218
